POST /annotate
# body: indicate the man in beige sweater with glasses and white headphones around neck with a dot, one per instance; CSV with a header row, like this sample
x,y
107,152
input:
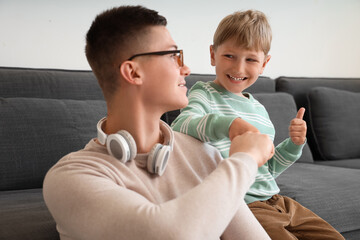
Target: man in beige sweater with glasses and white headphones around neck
x,y
98,193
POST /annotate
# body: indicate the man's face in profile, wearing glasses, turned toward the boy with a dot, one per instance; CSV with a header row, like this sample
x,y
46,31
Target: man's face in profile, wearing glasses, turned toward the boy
x,y
163,78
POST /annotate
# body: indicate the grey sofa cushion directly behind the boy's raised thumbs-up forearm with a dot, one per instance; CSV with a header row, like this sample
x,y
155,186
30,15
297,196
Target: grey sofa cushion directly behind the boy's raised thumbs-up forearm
x,y
282,109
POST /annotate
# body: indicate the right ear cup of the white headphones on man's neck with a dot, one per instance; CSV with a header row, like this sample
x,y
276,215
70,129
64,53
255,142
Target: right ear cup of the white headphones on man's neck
x,y
158,159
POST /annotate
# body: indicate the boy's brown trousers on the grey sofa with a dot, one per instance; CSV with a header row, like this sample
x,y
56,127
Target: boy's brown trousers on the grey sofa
x,y
284,218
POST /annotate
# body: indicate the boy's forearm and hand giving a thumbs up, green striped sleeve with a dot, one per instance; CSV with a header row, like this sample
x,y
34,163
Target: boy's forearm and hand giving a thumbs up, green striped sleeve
x,y
288,151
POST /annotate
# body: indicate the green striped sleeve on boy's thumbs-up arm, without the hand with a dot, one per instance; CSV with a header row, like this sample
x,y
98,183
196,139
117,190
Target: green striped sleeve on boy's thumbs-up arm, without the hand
x,y
286,153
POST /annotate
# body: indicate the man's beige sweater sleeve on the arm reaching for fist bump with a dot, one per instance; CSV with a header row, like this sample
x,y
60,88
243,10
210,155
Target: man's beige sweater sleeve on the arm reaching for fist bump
x,y
87,205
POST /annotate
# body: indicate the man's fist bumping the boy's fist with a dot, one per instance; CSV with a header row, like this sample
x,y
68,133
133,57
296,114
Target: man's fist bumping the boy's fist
x,y
257,145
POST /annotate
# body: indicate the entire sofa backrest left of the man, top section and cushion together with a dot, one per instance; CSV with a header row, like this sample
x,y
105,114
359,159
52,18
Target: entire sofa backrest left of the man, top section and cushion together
x,y
45,114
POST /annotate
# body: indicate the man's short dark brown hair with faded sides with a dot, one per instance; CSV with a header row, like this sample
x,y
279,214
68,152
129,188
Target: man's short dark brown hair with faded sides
x,y
113,37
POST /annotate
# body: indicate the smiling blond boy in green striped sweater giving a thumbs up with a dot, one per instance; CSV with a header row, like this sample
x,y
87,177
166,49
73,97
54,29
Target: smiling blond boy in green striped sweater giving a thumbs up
x,y
220,110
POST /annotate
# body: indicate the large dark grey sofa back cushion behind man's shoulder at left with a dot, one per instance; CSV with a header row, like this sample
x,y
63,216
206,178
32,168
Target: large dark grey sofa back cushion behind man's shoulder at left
x,y
36,133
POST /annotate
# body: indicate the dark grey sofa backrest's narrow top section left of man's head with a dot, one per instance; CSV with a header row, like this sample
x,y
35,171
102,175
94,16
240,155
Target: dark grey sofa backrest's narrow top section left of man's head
x,y
49,83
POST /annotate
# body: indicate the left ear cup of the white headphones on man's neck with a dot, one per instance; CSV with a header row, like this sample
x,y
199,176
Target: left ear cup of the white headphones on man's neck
x,y
122,146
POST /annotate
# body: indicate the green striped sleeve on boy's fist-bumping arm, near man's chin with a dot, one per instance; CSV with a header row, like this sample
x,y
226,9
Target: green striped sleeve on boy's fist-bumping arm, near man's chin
x,y
199,120
